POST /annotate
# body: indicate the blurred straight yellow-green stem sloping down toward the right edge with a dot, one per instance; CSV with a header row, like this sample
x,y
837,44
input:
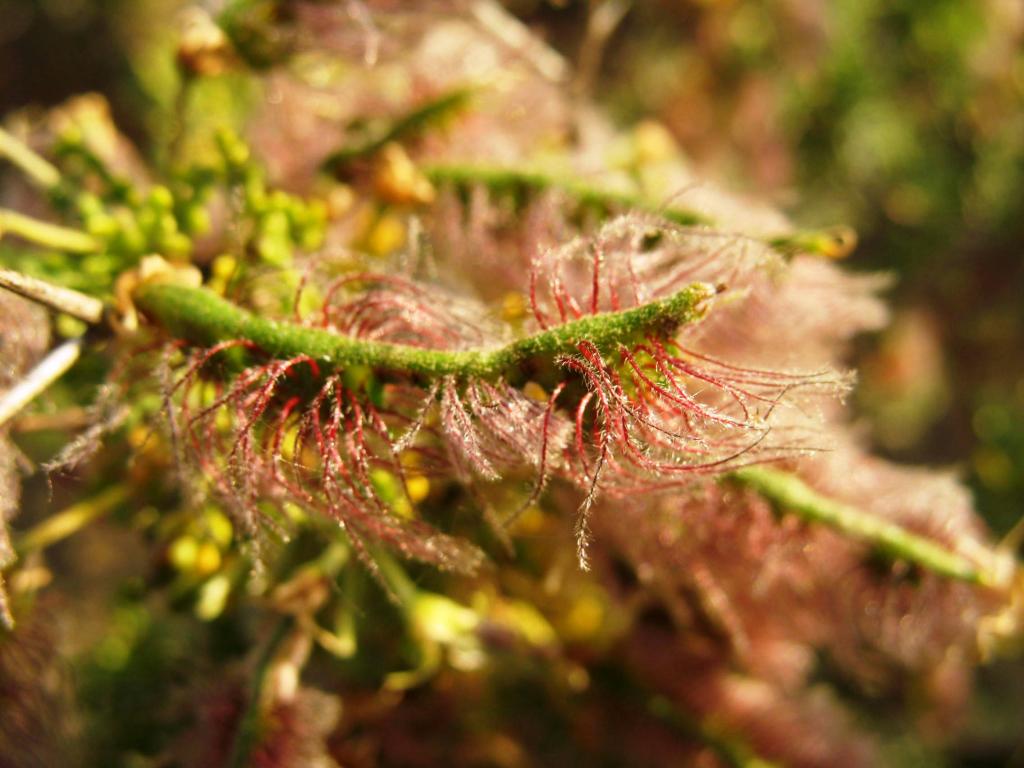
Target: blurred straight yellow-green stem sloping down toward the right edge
x,y
791,494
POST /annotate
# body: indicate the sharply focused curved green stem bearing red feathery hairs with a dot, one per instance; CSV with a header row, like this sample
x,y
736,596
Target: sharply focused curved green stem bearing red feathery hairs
x,y
203,318
